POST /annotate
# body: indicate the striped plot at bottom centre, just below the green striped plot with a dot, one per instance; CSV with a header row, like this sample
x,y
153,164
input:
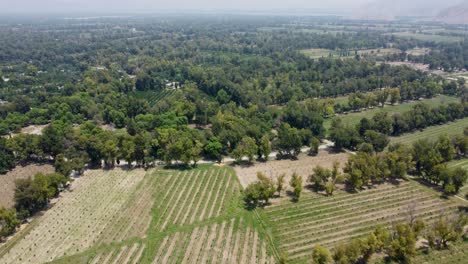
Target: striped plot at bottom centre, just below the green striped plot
x,y
229,241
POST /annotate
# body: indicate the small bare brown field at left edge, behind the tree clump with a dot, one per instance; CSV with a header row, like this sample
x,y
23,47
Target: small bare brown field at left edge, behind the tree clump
x,y
7,181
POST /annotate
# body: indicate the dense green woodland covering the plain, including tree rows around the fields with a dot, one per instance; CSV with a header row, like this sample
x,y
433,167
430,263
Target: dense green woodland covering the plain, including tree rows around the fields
x,y
178,90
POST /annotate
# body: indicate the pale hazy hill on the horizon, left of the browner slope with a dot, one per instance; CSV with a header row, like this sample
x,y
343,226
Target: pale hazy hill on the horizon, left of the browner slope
x,y
391,9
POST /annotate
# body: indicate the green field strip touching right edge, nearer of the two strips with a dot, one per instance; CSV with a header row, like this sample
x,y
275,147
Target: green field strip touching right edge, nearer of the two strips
x,y
432,133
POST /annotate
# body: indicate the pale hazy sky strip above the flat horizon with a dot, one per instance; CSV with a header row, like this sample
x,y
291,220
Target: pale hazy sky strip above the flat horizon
x,y
70,6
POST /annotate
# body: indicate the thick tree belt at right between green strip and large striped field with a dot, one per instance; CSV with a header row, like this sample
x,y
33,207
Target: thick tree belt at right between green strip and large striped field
x,y
425,159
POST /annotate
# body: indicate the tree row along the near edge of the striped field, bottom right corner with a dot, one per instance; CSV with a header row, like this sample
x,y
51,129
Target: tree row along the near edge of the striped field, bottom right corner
x,y
397,244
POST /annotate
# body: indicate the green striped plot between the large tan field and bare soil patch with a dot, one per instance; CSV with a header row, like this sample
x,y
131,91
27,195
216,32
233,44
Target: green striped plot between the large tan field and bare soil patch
x,y
185,198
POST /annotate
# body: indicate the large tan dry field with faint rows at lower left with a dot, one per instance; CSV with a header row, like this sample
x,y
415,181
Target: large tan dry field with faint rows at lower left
x,y
97,203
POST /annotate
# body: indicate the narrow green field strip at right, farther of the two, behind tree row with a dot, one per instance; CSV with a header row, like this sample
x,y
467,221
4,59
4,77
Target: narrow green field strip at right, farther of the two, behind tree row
x,y
355,118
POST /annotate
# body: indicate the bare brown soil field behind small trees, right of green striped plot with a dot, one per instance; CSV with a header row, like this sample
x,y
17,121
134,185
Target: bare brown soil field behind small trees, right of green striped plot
x,y
302,166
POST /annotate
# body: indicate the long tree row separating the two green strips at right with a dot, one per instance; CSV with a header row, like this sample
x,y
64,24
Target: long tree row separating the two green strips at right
x,y
374,131
